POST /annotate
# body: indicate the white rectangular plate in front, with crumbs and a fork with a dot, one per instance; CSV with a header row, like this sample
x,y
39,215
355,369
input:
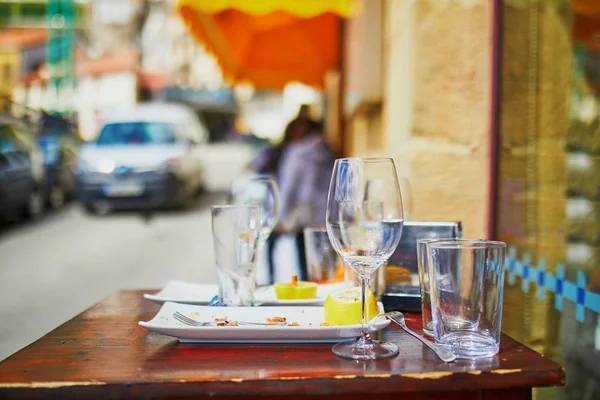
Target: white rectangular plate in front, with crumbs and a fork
x,y
309,330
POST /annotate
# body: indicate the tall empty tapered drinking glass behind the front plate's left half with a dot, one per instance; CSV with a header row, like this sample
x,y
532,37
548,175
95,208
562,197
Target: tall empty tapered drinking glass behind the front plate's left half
x,y
236,231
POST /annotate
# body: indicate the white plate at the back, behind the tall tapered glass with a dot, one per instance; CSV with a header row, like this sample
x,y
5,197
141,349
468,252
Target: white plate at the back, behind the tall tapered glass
x,y
201,294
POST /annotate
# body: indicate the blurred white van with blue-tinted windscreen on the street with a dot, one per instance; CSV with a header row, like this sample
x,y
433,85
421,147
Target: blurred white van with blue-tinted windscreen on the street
x,y
149,157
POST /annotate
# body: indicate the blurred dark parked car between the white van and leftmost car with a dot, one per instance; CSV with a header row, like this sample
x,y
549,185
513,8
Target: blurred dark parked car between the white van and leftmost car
x,y
59,144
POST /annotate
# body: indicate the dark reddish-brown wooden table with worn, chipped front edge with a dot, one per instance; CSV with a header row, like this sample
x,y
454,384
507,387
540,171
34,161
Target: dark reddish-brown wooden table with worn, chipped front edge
x,y
104,354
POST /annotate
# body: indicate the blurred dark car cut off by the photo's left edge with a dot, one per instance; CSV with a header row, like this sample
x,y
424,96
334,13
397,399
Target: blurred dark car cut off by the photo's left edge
x,y
21,172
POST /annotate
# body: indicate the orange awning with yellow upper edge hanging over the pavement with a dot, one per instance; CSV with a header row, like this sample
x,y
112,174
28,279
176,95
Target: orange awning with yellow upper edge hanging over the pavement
x,y
270,42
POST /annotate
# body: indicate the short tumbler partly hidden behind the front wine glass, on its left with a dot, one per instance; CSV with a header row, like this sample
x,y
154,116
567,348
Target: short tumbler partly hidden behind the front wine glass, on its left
x,y
323,263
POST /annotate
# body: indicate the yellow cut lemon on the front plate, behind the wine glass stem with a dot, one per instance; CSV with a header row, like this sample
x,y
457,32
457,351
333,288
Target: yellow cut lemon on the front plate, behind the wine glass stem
x,y
342,307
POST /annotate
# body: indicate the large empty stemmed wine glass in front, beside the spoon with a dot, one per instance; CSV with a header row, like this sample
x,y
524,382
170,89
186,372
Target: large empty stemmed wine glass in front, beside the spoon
x,y
364,223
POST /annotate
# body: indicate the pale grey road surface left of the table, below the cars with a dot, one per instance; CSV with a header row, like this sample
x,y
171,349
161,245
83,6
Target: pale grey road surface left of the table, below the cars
x,y
53,269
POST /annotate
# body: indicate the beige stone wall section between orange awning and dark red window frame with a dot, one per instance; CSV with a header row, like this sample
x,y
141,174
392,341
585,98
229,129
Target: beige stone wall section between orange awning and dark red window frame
x,y
417,88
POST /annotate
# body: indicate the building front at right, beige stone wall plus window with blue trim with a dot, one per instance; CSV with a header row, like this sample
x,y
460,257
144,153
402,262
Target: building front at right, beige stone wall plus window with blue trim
x,y
490,109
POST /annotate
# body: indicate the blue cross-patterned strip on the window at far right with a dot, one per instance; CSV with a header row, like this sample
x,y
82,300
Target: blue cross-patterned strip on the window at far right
x,y
563,289
